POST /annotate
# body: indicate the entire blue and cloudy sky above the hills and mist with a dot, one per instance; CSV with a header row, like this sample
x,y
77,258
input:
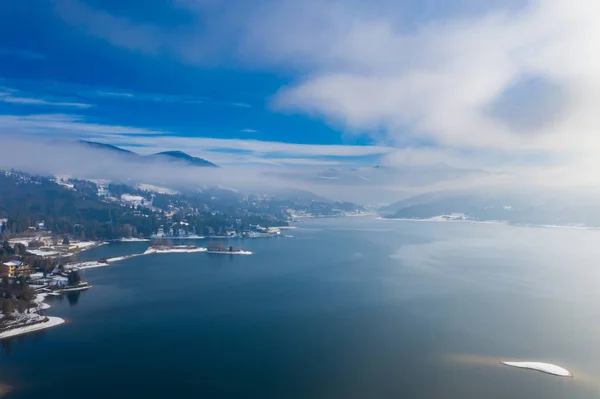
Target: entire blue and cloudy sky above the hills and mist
x,y
375,100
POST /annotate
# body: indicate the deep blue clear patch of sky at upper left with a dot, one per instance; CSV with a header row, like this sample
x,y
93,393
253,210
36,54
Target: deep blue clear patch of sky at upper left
x,y
71,72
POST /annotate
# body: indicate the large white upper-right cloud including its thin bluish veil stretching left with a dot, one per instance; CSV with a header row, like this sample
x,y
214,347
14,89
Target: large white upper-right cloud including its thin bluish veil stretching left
x,y
420,72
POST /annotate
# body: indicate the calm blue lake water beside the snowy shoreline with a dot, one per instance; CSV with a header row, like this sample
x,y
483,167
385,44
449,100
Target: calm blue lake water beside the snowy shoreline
x,y
348,308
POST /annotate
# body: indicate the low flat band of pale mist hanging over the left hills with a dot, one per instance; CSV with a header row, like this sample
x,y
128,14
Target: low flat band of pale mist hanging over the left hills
x,y
48,156
